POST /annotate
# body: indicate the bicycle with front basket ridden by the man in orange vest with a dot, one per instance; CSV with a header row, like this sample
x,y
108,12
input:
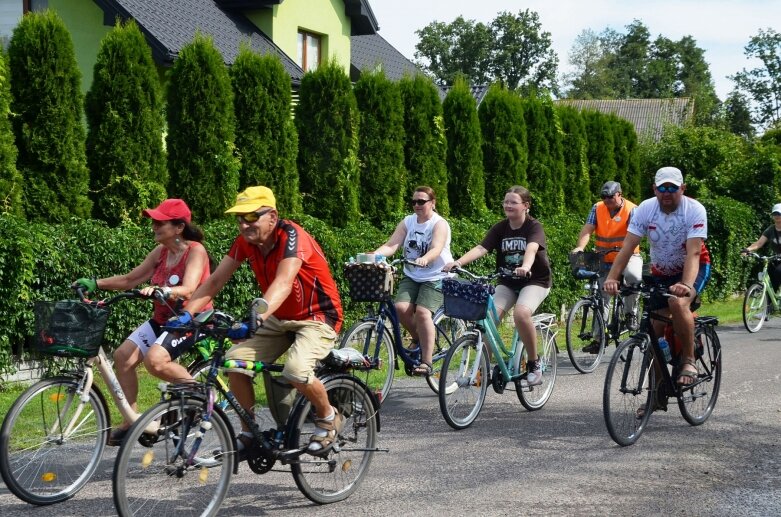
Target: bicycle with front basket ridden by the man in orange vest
x,y
587,333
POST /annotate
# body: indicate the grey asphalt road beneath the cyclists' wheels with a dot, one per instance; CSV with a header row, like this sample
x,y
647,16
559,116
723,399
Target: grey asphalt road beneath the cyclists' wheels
x,y
555,461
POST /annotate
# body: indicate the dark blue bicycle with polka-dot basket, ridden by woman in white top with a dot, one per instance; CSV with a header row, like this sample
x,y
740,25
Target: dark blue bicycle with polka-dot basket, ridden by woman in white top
x,y
379,334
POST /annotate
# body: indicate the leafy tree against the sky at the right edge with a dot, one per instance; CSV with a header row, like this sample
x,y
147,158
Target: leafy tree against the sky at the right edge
x,y
763,83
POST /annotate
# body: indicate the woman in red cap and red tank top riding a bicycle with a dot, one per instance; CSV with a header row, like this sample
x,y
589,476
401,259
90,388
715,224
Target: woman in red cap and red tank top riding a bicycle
x,y
177,266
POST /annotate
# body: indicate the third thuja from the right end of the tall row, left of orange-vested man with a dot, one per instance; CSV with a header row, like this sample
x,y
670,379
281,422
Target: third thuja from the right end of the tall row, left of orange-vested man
x,y
578,190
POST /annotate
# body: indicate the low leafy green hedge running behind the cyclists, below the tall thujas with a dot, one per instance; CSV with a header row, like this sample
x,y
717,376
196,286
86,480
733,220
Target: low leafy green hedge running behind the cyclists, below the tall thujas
x,y
38,261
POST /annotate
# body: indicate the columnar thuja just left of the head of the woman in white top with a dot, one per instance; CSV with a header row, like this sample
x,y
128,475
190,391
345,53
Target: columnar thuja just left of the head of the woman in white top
x,y
381,147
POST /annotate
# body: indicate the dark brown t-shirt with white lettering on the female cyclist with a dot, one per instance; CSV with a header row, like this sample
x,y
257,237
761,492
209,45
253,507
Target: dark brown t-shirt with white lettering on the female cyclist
x,y
510,246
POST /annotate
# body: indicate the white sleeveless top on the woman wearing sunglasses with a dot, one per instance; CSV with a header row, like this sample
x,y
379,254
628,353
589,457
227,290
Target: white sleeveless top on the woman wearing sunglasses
x,y
417,242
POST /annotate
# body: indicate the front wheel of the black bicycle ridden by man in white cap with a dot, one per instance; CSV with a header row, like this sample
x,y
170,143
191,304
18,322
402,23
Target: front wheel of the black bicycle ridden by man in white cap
x,y
628,396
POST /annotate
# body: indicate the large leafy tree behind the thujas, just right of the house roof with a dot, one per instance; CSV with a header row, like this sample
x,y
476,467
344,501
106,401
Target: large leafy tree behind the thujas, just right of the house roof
x,y
512,50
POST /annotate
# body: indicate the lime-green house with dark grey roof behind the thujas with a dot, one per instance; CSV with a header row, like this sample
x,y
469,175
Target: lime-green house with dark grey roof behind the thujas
x,y
302,33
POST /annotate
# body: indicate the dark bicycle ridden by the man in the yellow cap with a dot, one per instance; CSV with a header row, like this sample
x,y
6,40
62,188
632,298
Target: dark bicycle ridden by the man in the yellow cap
x,y
186,463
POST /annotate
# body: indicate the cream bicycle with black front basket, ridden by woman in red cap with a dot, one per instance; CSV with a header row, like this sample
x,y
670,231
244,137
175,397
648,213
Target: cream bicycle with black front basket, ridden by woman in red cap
x,y
54,435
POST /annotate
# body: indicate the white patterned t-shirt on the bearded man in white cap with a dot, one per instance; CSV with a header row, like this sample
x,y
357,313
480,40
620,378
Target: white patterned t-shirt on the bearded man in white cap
x,y
667,233
